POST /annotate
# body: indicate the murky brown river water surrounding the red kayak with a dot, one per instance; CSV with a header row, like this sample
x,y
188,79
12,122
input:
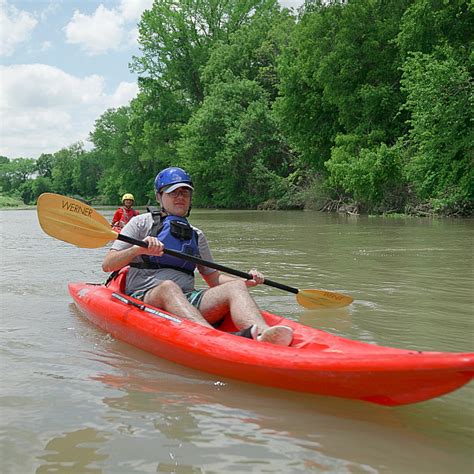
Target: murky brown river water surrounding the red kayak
x,y
75,400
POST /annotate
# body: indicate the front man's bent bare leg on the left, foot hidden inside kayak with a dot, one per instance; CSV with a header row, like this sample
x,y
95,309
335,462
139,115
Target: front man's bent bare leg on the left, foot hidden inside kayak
x,y
169,296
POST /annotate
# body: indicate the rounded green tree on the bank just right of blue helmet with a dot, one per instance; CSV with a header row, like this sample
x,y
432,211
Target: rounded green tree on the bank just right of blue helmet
x,y
232,149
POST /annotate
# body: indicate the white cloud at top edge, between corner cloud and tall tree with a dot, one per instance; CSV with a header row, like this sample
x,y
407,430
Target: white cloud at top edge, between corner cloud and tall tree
x,y
106,29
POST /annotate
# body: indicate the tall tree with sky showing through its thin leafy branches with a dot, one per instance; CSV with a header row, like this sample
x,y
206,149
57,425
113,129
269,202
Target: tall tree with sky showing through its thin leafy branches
x,y
177,38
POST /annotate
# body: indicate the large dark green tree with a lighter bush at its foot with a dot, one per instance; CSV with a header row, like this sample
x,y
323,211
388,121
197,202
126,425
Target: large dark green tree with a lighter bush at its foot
x,y
340,97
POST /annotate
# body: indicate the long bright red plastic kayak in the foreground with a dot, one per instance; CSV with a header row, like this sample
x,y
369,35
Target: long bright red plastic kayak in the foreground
x,y
316,362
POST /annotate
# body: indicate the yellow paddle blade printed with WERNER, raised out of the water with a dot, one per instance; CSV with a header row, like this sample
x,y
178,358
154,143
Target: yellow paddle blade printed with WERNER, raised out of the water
x,y
73,221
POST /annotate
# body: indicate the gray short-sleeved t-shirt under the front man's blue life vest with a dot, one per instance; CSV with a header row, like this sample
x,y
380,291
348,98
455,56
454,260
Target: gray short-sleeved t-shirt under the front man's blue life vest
x,y
139,227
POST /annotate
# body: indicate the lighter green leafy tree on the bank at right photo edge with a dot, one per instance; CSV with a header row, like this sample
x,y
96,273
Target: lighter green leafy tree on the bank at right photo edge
x,y
440,100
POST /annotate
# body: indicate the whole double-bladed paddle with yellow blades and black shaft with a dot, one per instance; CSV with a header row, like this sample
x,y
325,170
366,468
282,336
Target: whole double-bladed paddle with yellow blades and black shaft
x,y
77,223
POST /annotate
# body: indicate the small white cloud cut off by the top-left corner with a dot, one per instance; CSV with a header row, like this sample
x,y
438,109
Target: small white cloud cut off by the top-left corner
x,y
15,27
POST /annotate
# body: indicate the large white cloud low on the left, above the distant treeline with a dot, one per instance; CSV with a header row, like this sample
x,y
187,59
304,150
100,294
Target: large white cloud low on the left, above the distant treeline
x,y
44,109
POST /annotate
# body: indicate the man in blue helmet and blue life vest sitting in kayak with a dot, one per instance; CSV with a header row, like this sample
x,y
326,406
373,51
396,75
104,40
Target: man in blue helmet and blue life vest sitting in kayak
x,y
168,282
